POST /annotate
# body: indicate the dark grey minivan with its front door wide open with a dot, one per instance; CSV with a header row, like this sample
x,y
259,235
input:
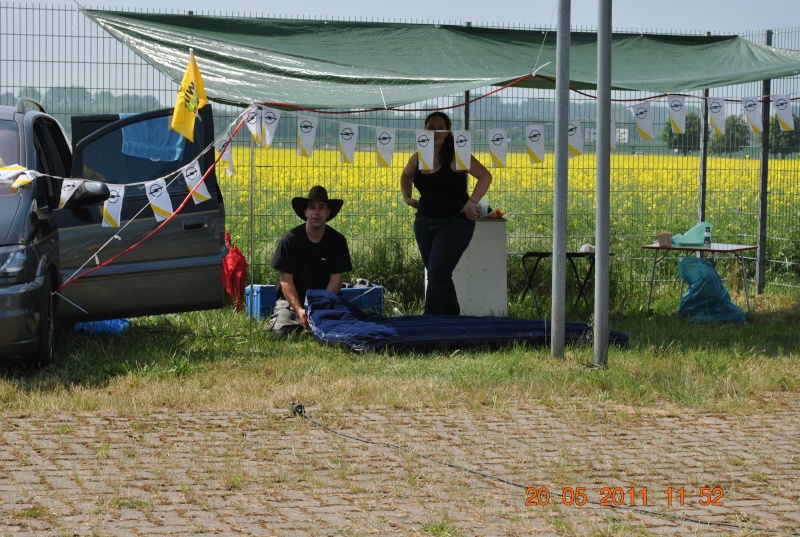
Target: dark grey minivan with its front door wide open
x,y
175,268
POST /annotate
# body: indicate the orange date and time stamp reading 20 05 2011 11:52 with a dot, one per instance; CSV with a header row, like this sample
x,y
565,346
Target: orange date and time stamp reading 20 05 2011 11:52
x,y
621,496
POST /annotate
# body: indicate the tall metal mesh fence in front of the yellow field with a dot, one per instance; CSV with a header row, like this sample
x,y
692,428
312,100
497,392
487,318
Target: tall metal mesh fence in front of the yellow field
x,y
61,58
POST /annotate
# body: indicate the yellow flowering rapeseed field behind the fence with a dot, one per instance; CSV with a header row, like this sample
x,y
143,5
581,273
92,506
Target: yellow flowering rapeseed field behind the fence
x,y
648,193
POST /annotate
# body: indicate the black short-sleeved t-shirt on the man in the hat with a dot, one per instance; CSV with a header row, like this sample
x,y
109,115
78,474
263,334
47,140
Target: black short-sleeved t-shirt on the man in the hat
x,y
310,263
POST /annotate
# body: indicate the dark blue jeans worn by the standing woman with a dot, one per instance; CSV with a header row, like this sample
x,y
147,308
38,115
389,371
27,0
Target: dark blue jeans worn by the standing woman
x,y
441,243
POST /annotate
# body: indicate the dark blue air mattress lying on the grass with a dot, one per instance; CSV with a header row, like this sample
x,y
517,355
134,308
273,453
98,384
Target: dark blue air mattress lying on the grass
x,y
337,322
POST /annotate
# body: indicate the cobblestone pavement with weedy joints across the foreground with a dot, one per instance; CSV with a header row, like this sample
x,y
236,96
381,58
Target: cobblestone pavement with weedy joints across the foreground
x,y
270,473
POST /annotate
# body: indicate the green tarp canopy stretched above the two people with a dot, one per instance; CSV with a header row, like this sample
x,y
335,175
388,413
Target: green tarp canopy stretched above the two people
x,y
345,64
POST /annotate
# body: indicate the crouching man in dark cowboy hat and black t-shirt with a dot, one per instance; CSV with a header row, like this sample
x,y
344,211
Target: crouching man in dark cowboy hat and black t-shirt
x,y
310,256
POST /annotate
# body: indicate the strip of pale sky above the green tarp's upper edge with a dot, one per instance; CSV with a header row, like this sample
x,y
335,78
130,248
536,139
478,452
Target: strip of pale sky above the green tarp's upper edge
x,y
696,15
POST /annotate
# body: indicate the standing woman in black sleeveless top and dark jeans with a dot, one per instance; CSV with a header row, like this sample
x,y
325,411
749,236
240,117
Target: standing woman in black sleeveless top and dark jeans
x,y
446,213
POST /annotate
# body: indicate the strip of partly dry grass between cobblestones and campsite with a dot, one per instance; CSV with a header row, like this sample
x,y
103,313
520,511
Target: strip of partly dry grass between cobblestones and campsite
x,y
222,360
